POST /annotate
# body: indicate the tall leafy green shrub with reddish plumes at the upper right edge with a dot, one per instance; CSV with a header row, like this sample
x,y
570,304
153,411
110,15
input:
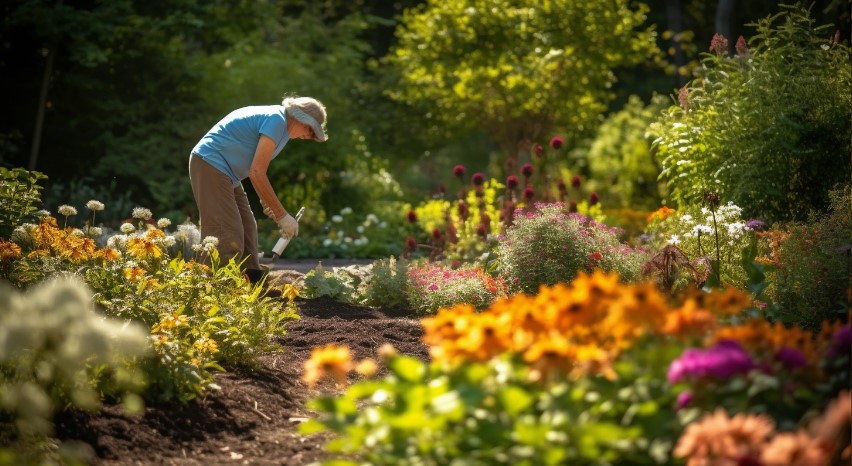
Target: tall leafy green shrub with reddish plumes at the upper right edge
x,y
768,129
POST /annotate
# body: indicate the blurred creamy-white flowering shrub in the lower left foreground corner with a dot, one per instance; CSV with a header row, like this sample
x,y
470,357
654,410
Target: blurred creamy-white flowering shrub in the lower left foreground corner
x,y
56,352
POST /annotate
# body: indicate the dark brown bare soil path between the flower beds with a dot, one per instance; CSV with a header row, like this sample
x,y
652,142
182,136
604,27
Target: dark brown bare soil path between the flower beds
x,y
254,418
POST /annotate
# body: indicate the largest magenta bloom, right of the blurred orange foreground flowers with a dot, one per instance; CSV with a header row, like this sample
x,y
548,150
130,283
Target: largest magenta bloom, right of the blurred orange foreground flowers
x,y
722,361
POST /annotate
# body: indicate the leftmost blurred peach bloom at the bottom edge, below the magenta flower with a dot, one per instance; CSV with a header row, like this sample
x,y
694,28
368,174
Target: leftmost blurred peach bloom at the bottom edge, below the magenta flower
x,y
719,439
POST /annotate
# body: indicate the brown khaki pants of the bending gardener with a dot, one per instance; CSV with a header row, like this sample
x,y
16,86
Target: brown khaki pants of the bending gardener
x,y
224,212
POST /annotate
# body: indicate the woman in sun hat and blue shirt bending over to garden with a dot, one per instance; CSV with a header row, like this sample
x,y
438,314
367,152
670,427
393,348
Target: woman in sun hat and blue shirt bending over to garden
x,y
241,146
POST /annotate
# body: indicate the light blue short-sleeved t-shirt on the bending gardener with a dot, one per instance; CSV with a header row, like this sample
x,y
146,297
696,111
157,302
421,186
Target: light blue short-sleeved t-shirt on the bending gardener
x,y
230,145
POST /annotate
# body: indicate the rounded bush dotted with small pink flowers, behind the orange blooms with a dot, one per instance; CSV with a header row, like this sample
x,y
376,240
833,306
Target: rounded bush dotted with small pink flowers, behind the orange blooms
x,y
547,245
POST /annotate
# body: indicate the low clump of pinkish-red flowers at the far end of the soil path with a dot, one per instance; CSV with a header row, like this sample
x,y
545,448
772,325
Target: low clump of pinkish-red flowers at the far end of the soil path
x,y
432,287
